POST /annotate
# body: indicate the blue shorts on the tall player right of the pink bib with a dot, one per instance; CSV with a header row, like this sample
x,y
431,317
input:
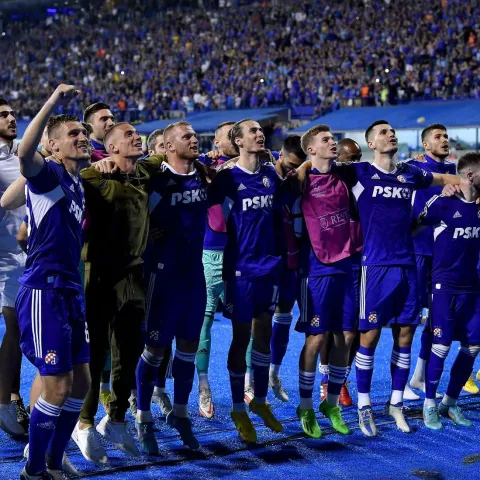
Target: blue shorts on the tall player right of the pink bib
x,y
388,295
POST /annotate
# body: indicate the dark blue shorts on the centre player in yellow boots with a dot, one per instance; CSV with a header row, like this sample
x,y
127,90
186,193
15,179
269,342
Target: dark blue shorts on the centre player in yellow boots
x,y
248,298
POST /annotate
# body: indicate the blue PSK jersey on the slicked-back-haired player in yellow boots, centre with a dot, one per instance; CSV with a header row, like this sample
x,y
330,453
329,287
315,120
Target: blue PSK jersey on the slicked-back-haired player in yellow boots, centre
x,y
253,216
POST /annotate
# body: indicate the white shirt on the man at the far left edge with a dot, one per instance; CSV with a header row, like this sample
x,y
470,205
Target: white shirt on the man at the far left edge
x,y
10,220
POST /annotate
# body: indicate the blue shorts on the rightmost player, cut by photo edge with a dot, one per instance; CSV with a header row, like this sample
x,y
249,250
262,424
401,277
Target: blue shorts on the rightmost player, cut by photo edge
x,y
455,317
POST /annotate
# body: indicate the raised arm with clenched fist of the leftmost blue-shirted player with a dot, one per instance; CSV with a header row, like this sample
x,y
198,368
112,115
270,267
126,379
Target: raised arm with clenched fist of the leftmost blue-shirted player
x,y
31,162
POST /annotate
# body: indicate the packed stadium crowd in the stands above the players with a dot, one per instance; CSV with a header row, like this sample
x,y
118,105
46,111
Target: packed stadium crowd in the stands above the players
x,y
144,62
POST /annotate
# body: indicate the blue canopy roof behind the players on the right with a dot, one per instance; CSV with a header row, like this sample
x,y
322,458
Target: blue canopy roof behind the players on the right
x,y
463,113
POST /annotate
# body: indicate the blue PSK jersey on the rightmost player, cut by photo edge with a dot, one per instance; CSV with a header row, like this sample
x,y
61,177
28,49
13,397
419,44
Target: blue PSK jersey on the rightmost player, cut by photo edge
x,y
456,245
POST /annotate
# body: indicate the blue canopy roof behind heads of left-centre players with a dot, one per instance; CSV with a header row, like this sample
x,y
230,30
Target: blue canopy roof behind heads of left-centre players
x,y
207,121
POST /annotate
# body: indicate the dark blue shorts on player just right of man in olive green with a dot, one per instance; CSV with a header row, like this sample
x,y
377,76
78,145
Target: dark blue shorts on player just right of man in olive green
x,y
175,306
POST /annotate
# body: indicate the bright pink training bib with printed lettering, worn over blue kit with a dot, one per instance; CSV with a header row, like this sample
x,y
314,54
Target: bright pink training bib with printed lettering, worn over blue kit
x,y
326,209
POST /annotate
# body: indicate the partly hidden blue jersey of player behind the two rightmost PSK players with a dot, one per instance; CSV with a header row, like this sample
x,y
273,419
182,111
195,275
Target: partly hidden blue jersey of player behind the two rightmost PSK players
x,y
423,242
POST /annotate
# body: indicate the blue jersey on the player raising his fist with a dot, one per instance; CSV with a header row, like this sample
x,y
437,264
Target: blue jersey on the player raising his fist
x,y
55,208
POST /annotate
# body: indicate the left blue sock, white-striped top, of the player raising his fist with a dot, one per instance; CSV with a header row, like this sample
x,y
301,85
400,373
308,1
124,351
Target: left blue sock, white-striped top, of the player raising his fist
x,y
43,421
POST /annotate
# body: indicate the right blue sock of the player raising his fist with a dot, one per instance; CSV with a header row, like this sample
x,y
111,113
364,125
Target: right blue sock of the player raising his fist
x,y
65,425
